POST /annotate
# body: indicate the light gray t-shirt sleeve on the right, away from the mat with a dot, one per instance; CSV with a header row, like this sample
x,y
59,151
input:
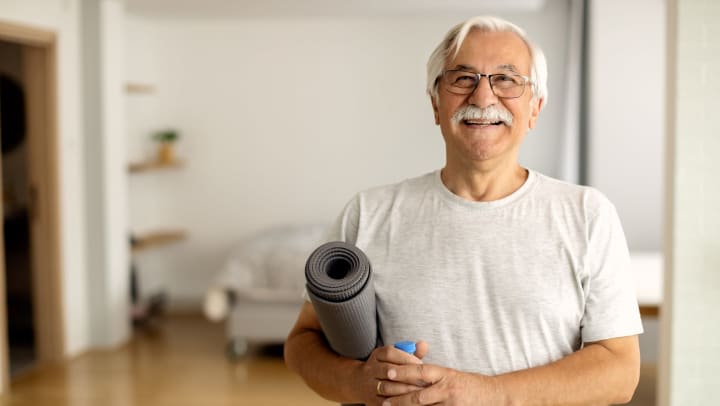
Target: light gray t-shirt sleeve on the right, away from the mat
x,y
611,308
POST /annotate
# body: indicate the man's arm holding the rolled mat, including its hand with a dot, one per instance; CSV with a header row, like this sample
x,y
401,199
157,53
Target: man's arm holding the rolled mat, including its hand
x,y
334,377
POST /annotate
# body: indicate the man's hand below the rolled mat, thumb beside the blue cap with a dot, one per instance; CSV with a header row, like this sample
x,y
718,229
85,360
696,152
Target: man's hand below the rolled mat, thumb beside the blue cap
x,y
373,374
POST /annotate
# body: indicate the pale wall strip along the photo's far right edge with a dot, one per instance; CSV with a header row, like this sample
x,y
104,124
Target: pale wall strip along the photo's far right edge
x,y
690,356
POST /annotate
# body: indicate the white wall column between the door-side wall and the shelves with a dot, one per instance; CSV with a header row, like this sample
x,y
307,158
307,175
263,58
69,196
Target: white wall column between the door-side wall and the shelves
x,y
105,171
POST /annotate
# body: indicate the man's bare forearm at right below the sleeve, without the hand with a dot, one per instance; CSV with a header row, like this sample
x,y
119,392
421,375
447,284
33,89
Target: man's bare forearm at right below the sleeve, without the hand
x,y
595,375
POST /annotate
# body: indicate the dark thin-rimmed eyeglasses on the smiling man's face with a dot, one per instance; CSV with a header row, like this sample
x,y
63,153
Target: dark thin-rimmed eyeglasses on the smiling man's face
x,y
503,85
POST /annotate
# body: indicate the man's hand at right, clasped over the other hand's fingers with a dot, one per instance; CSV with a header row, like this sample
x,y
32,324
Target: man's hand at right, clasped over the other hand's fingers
x,y
441,386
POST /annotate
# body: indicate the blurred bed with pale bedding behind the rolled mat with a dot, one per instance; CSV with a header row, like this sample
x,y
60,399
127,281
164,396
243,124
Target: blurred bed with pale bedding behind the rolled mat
x,y
259,289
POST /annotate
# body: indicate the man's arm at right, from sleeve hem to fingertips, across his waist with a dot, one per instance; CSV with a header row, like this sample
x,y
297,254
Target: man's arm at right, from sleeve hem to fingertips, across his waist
x,y
602,373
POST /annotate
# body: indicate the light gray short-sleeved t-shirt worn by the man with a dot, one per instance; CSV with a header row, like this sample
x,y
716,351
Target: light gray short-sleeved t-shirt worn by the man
x,y
494,286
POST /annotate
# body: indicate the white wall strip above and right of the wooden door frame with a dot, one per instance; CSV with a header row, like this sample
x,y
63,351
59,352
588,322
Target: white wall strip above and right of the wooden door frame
x,y
62,17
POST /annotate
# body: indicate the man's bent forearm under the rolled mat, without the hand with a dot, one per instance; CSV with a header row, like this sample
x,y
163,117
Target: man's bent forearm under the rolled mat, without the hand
x,y
328,374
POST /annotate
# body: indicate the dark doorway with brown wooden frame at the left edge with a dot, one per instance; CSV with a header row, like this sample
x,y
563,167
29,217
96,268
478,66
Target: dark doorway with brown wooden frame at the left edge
x,y
31,324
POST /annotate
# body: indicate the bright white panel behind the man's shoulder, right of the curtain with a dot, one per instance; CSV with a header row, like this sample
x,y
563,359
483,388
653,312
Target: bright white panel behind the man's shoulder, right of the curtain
x,y
626,101
